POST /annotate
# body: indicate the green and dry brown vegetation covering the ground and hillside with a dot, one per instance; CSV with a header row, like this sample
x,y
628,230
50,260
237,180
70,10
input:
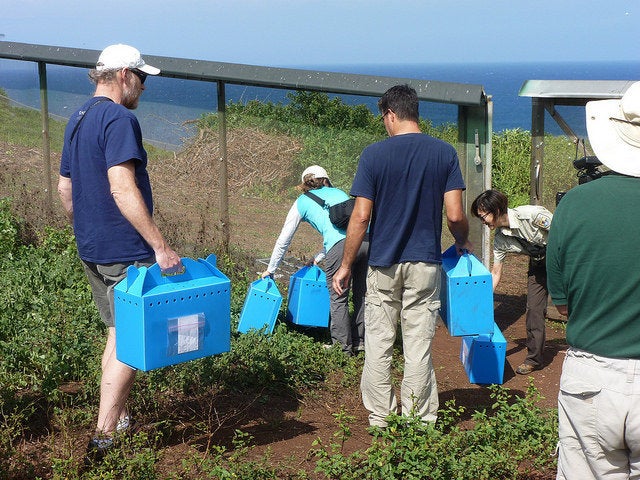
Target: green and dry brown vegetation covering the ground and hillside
x,y
51,337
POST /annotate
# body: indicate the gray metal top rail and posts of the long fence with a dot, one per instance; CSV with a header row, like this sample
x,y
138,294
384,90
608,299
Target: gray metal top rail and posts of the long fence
x,y
474,106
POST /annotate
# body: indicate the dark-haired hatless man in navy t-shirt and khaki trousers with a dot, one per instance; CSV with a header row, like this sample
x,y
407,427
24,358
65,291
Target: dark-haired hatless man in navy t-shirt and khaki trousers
x,y
401,186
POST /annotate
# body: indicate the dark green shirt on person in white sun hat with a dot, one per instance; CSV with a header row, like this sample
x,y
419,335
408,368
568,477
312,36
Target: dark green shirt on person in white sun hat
x,y
593,265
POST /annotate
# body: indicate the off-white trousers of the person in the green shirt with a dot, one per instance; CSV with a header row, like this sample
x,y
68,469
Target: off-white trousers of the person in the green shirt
x,y
598,417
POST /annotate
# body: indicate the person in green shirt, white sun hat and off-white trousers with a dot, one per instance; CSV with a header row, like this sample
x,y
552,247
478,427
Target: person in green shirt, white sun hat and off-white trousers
x,y
594,279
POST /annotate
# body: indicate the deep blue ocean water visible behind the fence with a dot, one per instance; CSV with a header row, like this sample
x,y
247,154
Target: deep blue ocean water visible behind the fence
x,y
170,106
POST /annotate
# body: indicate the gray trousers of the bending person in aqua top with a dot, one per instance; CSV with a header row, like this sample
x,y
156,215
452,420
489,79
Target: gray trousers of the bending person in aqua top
x,y
346,330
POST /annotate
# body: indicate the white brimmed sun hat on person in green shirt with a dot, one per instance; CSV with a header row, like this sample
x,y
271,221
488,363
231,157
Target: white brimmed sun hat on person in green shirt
x,y
614,131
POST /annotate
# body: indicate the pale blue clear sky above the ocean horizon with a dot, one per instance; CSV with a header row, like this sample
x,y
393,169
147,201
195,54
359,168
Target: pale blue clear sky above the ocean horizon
x,y
294,33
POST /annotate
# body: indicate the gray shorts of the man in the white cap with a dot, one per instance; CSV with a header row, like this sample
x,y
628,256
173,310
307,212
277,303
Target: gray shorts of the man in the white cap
x,y
102,278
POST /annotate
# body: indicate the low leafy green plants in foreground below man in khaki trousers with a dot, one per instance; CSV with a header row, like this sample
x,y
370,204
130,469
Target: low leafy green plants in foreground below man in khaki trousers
x,y
516,438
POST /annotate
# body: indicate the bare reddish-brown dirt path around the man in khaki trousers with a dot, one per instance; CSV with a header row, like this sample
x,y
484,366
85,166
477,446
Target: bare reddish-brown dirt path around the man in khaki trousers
x,y
314,419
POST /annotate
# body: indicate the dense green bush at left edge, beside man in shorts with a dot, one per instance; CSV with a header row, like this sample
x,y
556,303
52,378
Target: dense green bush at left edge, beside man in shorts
x,y
48,325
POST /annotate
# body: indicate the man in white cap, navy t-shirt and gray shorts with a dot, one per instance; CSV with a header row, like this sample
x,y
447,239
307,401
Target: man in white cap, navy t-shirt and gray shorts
x,y
105,190
